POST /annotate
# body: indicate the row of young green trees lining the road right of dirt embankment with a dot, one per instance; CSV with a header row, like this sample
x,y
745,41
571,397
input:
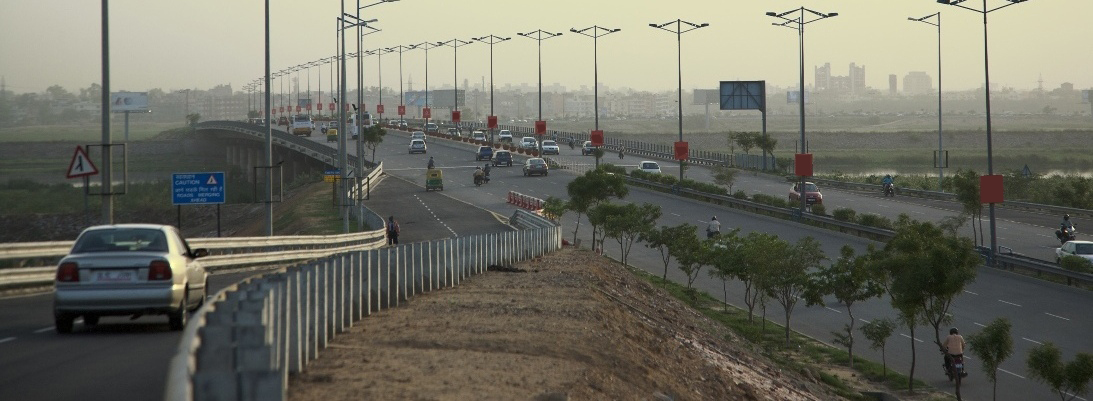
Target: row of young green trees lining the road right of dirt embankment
x,y
922,270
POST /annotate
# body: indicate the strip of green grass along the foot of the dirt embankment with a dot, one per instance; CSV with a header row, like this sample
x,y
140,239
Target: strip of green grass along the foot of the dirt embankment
x,y
806,356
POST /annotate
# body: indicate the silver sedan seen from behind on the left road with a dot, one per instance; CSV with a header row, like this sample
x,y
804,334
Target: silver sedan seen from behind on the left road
x,y
130,270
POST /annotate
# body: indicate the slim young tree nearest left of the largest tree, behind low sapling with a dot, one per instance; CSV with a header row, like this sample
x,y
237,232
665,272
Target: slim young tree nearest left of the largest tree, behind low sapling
x,y
851,279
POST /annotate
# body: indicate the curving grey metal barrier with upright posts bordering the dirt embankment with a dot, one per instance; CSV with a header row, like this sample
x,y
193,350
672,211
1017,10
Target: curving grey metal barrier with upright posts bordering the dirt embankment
x,y
244,344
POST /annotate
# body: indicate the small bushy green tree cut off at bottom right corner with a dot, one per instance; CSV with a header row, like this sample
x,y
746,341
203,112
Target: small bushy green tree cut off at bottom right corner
x,y
1068,381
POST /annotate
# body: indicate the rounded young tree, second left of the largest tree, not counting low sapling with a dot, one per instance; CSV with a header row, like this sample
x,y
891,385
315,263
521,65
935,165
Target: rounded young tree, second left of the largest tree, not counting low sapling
x,y
789,276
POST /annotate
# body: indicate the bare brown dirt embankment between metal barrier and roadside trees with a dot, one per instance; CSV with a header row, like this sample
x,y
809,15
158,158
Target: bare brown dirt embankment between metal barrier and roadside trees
x,y
571,326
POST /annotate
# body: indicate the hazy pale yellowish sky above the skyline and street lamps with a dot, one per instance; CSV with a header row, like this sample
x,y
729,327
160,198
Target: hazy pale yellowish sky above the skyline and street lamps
x,y
203,43
